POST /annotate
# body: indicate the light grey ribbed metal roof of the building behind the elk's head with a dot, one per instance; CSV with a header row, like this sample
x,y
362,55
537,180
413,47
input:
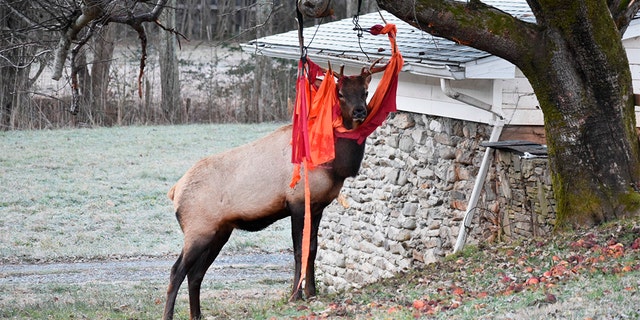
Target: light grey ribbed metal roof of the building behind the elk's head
x,y
422,52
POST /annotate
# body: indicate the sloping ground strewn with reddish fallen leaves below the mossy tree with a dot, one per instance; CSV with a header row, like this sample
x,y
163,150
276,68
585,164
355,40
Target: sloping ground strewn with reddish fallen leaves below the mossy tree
x,y
586,274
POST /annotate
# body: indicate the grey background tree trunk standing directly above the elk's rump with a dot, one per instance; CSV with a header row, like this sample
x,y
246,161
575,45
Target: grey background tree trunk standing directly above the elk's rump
x,y
171,103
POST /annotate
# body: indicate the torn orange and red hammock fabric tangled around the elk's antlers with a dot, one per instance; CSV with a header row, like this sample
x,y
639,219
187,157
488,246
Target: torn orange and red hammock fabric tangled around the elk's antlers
x,y
317,121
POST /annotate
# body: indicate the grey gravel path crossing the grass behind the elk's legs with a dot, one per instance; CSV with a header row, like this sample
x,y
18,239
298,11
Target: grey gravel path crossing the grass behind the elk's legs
x,y
236,268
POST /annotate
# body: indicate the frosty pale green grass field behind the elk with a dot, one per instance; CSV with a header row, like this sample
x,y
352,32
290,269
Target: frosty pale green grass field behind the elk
x,y
79,194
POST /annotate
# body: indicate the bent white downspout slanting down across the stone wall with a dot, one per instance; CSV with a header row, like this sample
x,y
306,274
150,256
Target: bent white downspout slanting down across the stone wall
x,y
486,159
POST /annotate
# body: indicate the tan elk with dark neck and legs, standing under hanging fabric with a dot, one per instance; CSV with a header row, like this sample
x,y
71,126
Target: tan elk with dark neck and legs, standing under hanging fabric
x,y
248,188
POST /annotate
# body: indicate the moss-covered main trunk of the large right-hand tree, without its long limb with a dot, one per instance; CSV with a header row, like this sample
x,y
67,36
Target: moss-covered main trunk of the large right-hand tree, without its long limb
x,y
586,95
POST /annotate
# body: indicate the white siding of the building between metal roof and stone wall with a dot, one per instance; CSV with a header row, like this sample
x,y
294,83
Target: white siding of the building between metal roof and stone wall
x,y
518,103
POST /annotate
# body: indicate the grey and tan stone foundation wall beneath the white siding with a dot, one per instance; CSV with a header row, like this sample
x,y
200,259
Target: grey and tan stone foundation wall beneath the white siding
x,y
407,203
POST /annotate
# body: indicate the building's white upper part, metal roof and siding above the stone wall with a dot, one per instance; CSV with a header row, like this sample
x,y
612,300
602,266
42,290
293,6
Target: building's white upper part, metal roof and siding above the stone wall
x,y
440,77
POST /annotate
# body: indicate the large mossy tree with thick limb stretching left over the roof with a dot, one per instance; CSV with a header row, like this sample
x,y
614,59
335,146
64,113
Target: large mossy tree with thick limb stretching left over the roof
x,y
581,77
